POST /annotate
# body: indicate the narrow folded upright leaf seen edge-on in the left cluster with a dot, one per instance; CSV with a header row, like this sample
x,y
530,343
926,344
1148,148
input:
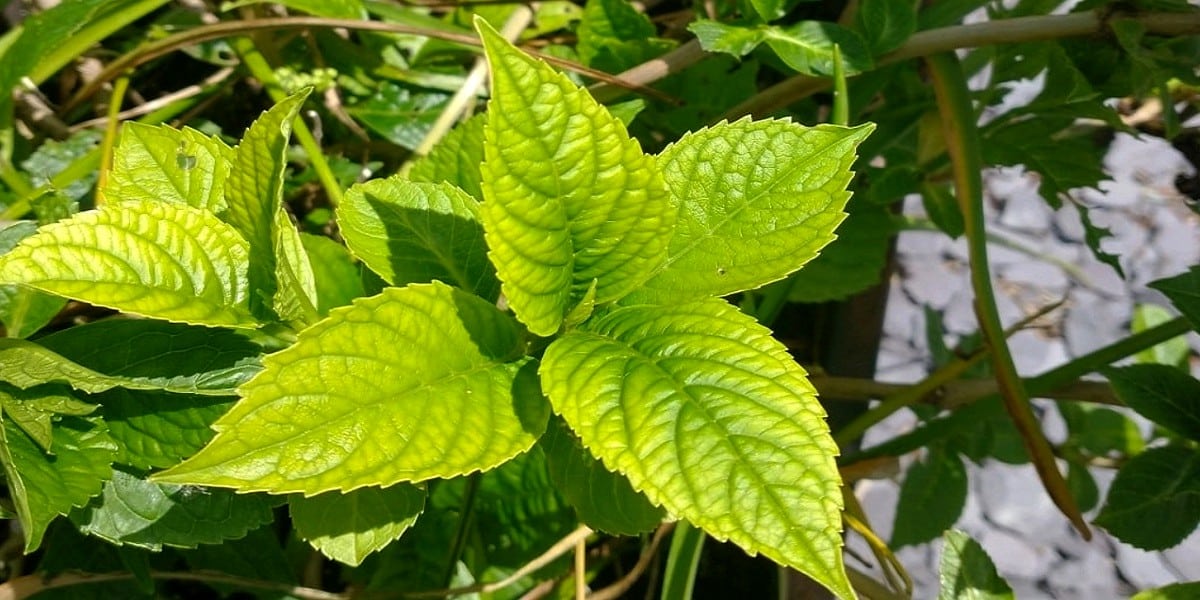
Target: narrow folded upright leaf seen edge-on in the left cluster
x,y
255,194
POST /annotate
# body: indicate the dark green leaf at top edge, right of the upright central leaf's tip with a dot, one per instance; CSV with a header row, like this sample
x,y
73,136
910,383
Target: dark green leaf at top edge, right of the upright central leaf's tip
x,y
615,37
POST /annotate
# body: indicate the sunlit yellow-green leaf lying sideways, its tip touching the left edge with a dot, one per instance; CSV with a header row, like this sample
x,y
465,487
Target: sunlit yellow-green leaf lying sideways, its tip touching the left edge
x,y
160,261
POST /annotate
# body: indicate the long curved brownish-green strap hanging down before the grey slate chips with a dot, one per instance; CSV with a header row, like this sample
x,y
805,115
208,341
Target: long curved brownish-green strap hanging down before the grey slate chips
x,y
963,146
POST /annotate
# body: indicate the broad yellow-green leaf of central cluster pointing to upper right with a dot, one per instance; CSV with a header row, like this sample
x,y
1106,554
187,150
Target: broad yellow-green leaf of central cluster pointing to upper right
x,y
757,201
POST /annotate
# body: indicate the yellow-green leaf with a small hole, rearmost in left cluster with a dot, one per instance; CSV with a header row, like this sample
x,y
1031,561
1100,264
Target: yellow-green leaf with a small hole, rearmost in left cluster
x,y
166,165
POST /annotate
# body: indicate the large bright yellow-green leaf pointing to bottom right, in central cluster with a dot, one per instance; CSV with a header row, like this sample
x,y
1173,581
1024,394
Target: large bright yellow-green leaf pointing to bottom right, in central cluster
x,y
711,418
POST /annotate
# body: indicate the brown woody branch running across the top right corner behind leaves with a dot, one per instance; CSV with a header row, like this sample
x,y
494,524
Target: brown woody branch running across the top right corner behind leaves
x,y
1016,31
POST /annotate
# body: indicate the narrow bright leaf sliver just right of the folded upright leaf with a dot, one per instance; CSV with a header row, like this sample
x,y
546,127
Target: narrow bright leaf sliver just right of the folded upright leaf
x,y
296,301
